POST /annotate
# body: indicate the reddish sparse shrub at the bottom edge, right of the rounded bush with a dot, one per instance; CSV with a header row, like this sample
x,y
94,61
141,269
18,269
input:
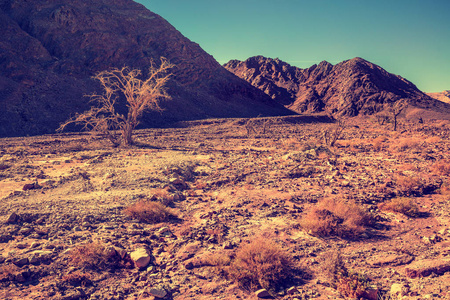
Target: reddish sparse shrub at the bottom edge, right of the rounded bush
x,y
349,284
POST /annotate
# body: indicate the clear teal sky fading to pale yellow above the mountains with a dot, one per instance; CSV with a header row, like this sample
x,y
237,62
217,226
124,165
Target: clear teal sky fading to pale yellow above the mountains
x,y
410,38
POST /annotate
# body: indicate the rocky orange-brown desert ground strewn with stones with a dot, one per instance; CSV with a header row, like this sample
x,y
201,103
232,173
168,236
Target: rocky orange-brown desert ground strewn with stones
x,y
64,233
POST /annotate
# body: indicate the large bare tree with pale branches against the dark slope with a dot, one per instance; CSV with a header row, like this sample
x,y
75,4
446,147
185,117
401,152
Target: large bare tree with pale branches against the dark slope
x,y
140,95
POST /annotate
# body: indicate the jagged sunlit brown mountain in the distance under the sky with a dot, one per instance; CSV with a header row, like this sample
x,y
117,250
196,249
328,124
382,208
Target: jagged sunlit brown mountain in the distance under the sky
x,y
349,88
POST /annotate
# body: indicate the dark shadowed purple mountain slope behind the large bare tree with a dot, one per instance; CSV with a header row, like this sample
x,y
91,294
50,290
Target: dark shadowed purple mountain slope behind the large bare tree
x,y
50,49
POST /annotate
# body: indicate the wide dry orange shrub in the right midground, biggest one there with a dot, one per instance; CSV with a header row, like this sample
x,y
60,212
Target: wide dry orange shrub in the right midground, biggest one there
x,y
332,217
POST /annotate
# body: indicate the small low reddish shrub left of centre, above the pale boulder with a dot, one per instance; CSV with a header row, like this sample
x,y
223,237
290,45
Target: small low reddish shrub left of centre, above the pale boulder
x,y
149,212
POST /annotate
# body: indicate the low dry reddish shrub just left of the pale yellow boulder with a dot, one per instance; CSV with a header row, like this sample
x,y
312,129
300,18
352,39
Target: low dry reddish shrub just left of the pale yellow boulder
x,y
97,256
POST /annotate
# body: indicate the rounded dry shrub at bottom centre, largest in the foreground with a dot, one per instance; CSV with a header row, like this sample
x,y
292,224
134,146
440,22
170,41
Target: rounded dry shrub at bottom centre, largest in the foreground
x,y
261,264
